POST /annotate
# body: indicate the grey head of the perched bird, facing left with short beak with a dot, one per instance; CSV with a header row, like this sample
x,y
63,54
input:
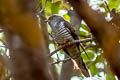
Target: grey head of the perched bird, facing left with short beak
x,y
54,20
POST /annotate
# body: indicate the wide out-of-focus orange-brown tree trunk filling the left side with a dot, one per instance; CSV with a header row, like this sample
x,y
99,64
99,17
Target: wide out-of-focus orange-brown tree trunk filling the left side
x,y
25,40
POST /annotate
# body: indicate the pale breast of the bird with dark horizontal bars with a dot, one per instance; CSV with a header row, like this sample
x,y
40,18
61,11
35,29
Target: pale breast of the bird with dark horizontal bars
x,y
61,34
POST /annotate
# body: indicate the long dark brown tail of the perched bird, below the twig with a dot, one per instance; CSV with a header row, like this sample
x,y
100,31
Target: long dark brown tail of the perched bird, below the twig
x,y
75,54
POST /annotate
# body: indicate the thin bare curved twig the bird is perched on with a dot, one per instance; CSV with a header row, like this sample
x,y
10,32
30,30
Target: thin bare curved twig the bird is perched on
x,y
71,43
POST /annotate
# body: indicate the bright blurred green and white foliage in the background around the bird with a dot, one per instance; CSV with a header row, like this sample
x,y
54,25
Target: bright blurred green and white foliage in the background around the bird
x,y
98,67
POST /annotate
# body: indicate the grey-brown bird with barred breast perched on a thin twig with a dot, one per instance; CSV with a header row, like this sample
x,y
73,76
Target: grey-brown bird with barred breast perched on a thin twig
x,y
62,33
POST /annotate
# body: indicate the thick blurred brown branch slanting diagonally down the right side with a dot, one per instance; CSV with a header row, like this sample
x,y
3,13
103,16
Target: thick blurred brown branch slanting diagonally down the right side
x,y
105,34
